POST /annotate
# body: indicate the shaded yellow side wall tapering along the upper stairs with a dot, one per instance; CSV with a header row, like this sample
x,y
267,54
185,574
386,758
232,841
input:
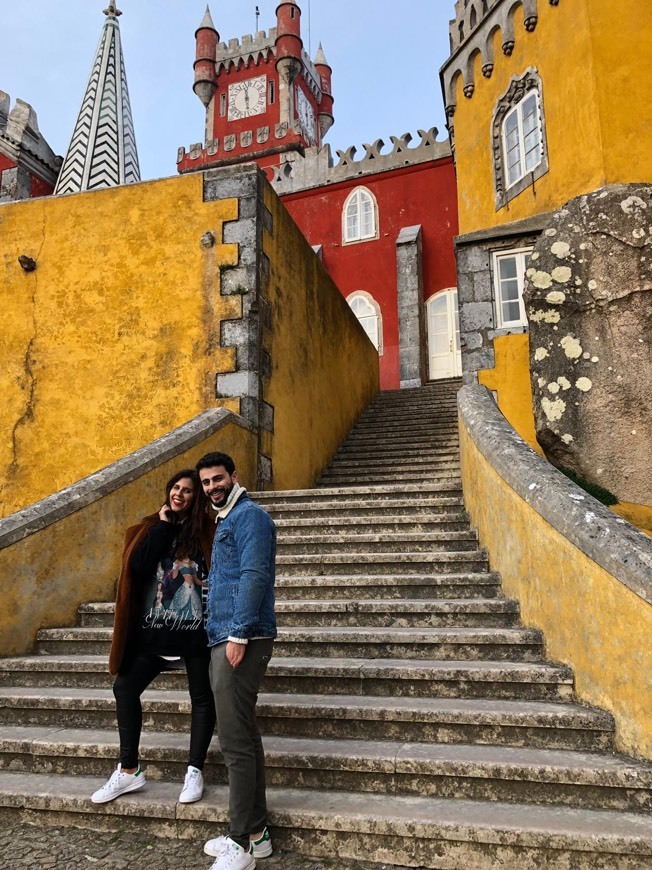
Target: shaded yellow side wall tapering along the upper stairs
x,y
324,368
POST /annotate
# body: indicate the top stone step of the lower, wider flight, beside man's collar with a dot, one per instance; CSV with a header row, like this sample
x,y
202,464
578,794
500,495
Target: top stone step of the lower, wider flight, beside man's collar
x,y
418,492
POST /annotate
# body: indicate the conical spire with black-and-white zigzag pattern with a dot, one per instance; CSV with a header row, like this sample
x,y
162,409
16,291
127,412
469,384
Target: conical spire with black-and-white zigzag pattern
x,y
102,151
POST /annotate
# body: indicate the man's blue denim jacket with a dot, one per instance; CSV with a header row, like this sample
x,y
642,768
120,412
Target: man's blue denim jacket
x,y
241,577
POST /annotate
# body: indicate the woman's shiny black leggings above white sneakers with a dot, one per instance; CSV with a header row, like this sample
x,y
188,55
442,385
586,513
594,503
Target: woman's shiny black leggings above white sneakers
x,y
129,686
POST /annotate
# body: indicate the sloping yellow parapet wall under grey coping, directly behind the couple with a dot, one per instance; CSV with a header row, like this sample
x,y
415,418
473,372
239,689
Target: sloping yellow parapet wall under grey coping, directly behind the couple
x,y
77,559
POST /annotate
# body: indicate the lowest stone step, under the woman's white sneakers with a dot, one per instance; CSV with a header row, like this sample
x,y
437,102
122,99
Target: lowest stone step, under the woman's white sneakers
x,y
407,817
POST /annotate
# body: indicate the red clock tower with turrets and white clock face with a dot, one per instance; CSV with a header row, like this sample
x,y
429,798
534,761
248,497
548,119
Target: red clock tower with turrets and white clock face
x,y
263,95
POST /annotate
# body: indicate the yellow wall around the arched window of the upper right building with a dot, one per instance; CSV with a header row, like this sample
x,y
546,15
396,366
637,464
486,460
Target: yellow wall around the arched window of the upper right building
x,y
593,57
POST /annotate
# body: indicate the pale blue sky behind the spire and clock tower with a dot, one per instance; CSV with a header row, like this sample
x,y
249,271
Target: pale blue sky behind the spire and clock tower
x,y
385,57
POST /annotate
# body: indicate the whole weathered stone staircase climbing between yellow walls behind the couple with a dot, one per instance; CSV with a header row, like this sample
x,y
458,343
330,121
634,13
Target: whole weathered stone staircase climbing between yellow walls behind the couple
x,y
407,716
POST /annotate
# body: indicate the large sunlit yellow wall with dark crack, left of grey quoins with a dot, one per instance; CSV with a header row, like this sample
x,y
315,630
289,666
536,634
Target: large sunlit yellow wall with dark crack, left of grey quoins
x,y
113,340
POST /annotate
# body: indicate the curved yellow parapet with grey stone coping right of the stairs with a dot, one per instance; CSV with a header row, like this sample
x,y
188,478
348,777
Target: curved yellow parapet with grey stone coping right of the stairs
x,y
582,574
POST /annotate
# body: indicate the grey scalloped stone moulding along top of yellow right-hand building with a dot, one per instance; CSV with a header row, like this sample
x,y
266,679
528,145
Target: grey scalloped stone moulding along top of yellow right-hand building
x,y
500,16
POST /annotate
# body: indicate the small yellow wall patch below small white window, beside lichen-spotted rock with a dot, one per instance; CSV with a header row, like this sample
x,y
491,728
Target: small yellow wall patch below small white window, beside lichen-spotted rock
x,y
510,380
